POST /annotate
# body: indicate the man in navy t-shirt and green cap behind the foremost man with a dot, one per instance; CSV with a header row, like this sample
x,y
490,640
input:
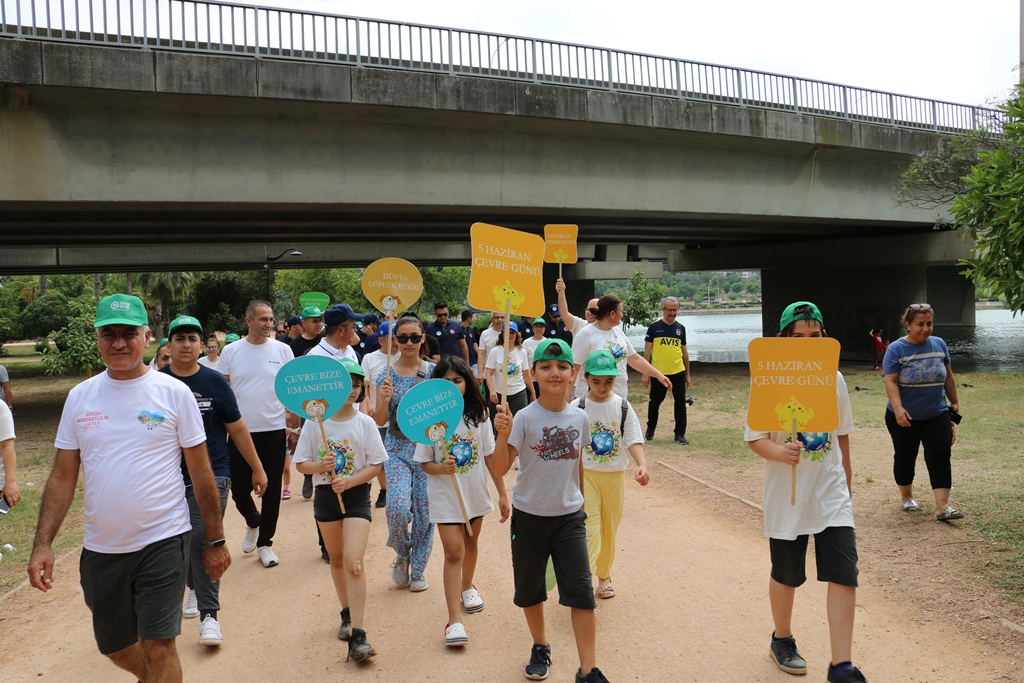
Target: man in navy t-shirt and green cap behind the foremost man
x,y
221,418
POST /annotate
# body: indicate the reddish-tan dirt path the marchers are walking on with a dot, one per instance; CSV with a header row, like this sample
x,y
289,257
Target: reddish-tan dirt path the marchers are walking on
x,y
692,607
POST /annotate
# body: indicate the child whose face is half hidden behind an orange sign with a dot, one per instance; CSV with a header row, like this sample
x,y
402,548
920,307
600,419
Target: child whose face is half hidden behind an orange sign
x,y
824,508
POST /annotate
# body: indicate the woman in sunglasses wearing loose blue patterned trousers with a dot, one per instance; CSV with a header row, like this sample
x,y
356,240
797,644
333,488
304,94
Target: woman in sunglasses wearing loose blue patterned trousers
x,y
407,483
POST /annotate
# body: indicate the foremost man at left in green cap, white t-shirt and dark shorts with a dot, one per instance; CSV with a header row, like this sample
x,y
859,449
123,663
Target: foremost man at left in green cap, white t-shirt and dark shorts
x,y
129,430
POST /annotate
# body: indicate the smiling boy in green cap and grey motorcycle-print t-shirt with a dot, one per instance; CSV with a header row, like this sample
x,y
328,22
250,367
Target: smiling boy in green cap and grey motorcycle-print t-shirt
x,y
548,520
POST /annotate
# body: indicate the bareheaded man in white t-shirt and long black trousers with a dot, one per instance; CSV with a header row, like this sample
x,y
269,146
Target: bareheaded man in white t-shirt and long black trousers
x,y
251,366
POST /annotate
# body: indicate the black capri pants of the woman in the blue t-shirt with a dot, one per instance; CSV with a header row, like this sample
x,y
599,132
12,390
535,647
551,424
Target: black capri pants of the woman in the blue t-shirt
x,y
937,437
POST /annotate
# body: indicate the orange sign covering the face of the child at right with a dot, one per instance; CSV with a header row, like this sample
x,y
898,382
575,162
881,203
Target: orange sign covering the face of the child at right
x,y
793,379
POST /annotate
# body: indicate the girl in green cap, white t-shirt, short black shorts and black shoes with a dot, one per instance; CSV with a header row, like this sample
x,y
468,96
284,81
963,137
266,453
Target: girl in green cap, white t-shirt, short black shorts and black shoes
x,y
355,459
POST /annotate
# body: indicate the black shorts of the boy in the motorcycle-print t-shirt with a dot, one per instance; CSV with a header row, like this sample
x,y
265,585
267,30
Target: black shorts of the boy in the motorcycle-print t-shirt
x,y
565,540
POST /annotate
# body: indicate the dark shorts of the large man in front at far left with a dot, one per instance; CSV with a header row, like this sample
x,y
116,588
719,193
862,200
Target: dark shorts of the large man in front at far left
x,y
136,595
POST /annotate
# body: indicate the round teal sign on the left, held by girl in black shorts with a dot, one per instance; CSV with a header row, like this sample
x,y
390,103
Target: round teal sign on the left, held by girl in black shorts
x,y
314,387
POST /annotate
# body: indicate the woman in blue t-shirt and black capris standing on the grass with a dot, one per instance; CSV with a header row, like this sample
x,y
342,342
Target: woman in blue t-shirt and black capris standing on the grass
x,y
919,381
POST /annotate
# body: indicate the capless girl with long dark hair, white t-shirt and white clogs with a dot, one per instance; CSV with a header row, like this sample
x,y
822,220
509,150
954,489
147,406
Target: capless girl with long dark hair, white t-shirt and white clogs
x,y
468,449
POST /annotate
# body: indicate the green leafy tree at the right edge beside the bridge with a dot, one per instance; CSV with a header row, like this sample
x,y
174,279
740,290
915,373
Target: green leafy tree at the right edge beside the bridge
x,y
982,176
